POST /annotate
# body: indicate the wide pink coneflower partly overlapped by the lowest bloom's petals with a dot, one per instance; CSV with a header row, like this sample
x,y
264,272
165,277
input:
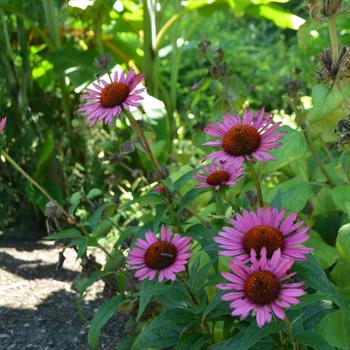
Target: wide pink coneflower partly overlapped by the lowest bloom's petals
x,y
264,228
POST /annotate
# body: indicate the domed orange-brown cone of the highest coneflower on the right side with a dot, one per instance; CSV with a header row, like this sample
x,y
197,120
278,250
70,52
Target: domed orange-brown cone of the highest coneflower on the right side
x,y
241,140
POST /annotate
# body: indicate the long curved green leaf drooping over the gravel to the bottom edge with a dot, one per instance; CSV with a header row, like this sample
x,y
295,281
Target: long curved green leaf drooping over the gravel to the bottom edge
x,y
103,314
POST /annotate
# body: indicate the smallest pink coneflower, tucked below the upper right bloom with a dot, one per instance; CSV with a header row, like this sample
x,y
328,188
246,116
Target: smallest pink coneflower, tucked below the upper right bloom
x,y
219,175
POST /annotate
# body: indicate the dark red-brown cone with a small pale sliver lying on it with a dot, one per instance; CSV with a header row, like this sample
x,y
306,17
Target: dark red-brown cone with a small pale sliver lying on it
x,y
160,255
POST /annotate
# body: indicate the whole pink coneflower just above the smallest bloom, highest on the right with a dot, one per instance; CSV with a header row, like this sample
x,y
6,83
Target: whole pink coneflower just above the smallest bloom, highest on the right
x,y
243,137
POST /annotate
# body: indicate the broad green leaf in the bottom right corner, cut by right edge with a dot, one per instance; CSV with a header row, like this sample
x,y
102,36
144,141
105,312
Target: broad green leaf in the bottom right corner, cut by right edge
x,y
334,328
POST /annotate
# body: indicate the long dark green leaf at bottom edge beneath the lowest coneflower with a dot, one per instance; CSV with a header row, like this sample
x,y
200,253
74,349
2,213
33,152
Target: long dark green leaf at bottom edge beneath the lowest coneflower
x,y
245,339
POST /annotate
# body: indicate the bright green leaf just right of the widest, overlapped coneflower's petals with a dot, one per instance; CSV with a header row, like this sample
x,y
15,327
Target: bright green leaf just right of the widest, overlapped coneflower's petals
x,y
324,253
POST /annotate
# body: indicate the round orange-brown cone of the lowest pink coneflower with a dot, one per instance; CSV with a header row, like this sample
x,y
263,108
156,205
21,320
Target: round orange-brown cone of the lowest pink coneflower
x,y
262,287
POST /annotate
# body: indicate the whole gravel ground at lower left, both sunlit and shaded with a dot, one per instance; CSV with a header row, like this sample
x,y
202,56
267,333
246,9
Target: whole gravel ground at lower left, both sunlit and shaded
x,y
38,303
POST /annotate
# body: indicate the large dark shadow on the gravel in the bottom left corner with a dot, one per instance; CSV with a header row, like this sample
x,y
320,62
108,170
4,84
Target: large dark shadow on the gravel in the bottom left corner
x,y
54,324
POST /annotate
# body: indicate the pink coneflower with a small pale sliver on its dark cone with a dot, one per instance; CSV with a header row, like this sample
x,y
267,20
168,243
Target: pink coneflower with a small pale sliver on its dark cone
x,y
166,256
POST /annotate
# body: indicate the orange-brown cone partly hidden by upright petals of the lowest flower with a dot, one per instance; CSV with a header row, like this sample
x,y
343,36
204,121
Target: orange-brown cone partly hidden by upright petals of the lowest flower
x,y
263,236
